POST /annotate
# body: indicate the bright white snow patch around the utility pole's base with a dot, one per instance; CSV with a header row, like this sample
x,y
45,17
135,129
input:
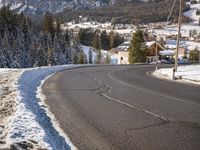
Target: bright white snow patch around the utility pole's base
x,y
189,73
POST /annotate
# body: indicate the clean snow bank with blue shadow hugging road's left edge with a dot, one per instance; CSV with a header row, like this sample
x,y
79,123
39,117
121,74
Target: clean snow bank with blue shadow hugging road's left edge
x,y
31,120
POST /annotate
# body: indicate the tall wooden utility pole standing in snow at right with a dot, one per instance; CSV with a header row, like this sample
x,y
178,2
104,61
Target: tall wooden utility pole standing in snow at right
x,y
179,34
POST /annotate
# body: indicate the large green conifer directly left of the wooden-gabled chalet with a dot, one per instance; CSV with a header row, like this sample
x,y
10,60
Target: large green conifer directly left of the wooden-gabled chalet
x,y
137,49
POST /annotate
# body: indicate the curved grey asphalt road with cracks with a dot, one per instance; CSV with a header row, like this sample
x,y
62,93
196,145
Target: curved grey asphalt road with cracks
x,y
121,107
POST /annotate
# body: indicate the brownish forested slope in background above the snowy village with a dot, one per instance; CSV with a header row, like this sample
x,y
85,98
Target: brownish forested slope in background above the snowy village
x,y
124,11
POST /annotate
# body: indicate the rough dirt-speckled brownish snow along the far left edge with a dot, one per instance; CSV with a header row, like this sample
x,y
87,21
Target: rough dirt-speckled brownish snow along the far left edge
x,y
8,100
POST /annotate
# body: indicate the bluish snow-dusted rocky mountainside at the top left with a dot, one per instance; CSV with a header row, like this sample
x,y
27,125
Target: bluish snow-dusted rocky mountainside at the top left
x,y
53,6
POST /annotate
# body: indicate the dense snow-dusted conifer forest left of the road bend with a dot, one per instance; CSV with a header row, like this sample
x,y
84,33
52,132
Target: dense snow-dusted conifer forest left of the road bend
x,y
24,43
